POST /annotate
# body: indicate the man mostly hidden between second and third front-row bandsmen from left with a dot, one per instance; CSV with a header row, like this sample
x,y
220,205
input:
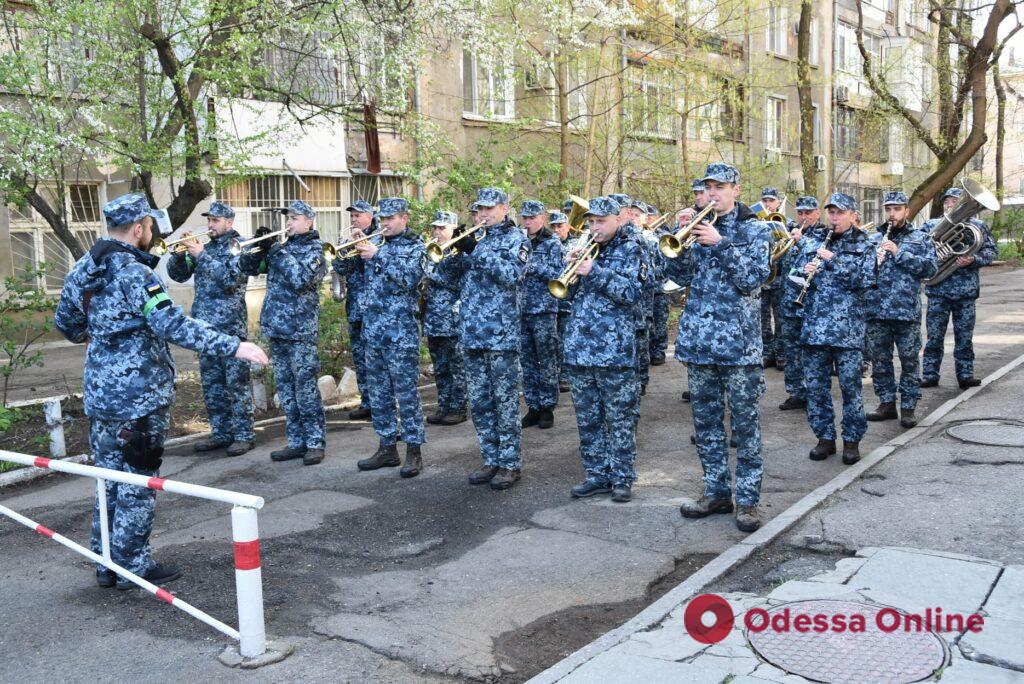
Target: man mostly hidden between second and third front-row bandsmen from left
x,y
363,223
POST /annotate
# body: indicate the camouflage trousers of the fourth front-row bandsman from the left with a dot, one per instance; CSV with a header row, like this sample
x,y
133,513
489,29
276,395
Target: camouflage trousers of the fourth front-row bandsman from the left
x,y
494,402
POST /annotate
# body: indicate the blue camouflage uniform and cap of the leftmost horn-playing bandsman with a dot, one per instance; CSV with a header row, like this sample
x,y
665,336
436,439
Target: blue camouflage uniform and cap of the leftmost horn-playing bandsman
x,y
221,301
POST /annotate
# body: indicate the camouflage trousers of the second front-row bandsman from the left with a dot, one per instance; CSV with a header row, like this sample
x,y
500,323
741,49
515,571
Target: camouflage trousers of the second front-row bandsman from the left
x,y
296,369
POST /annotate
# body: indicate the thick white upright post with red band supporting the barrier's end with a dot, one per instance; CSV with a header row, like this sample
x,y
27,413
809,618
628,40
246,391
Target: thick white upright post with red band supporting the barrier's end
x,y
248,582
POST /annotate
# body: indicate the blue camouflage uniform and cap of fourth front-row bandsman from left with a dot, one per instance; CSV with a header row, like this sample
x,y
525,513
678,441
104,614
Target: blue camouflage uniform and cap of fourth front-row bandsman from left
x,y
489,322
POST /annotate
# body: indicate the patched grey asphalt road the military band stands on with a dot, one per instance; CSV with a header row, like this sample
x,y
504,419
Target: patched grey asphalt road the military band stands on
x,y
377,579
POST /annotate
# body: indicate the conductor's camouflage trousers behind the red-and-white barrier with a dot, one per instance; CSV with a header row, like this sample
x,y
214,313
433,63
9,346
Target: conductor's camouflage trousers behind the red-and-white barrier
x,y
130,508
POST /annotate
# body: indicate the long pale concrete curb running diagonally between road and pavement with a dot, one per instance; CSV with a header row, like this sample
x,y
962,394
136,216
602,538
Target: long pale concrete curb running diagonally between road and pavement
x,y
740,552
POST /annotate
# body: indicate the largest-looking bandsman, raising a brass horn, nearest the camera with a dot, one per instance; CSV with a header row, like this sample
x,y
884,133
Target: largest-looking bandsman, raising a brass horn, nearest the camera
x,y
720,343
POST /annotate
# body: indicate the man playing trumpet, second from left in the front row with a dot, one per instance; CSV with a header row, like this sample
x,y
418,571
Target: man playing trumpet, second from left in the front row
x,y
290,319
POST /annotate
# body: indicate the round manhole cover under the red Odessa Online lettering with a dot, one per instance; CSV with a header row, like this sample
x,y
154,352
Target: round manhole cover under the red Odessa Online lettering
x,y
847,656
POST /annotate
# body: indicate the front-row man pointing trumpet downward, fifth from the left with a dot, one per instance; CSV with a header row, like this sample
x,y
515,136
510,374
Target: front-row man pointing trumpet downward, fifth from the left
x,y
600,356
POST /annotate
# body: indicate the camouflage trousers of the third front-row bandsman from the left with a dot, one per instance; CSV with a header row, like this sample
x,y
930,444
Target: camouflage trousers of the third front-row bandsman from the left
x,y
393,374
